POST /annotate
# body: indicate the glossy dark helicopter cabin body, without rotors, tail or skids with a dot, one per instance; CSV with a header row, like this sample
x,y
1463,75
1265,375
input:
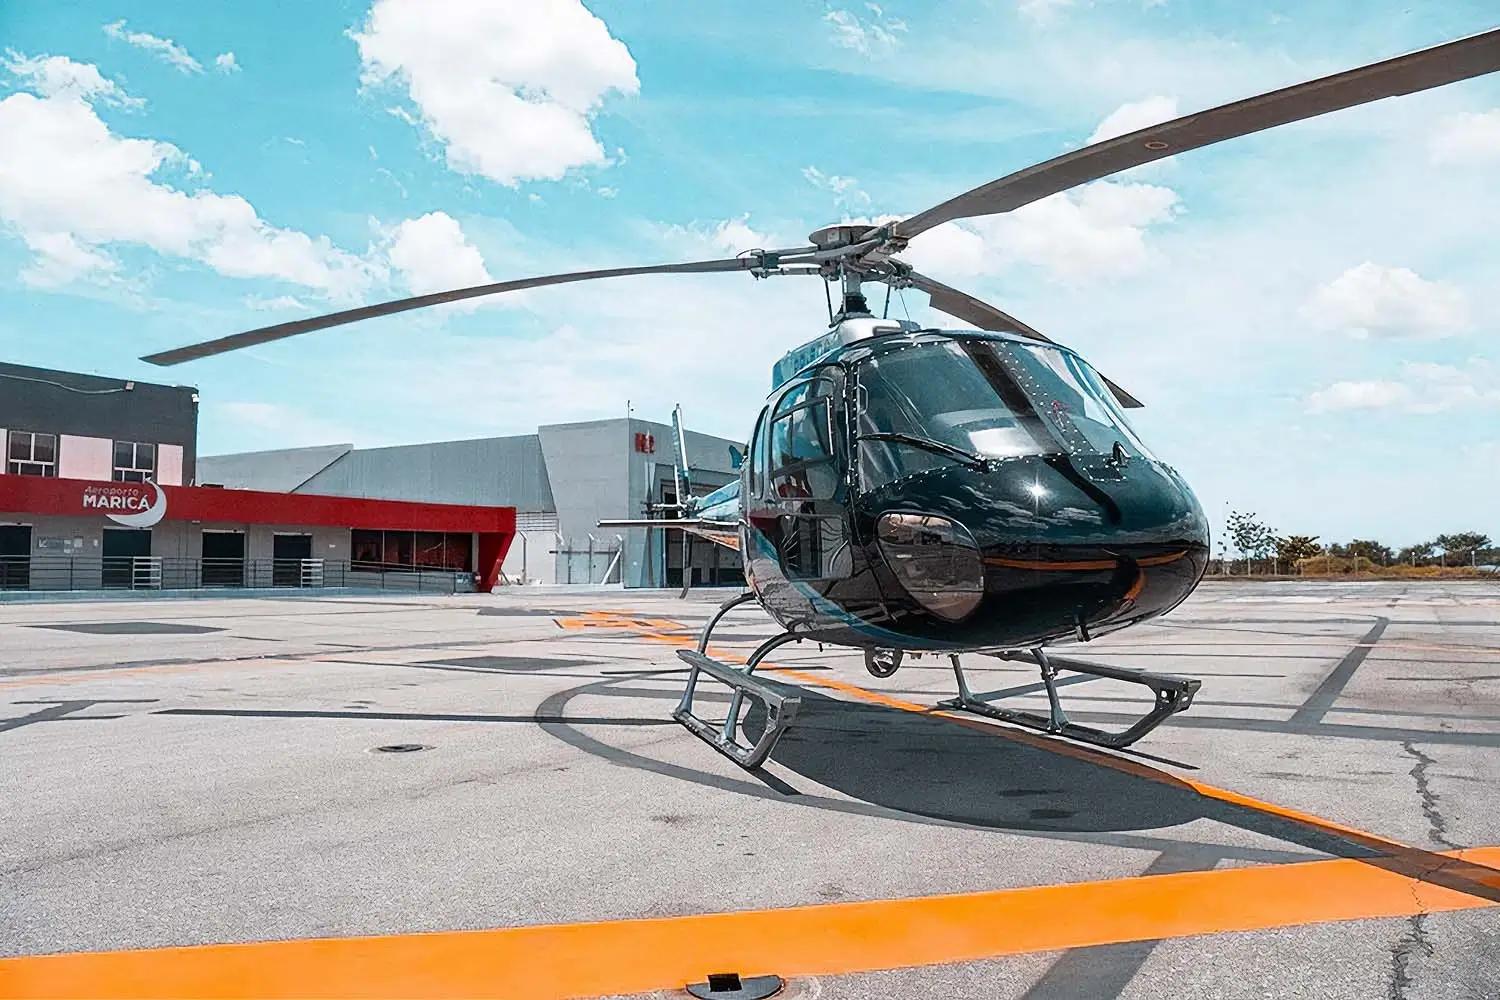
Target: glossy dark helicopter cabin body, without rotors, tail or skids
x,y
961,491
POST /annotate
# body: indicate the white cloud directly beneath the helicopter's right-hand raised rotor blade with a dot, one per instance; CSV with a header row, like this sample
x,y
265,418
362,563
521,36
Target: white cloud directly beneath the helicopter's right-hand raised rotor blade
x,y
1096,232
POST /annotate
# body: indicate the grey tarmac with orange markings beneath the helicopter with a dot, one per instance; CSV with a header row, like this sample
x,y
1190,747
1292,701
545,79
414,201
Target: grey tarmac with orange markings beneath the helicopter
x,y
193,803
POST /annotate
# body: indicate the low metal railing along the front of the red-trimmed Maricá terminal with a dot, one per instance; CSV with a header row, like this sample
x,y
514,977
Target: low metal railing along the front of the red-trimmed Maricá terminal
x,y
163,573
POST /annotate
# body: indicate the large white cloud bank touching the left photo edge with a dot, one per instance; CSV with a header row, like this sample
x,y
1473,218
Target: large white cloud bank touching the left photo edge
x,y
73,190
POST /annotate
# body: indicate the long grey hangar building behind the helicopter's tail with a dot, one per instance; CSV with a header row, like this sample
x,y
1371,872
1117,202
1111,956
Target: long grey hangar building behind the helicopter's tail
x,y
562,481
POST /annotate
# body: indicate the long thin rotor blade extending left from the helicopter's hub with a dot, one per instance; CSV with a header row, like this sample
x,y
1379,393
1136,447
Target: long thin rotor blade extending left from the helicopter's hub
x,y
284,331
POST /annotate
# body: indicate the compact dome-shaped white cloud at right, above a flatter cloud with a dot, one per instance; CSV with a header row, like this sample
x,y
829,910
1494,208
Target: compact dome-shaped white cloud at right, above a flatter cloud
x,y
1388,302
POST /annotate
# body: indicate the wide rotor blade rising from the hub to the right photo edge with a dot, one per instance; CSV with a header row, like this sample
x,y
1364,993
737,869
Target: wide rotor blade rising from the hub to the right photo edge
x,y
1451,62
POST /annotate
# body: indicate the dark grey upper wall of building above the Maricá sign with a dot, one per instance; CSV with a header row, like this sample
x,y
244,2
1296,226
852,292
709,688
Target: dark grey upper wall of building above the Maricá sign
x,y
92,407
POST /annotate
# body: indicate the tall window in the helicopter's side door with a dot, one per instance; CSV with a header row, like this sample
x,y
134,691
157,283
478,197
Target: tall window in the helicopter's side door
x,y
800,457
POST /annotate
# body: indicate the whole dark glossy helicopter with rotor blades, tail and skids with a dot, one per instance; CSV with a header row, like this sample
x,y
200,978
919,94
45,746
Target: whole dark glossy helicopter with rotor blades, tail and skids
x,y
914,491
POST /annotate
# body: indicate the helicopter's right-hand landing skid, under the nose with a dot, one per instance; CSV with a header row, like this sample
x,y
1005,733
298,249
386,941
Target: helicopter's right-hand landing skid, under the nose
x,y
1172,696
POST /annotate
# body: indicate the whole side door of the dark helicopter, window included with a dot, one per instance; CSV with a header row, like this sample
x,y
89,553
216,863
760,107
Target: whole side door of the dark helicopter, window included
x,y
805,482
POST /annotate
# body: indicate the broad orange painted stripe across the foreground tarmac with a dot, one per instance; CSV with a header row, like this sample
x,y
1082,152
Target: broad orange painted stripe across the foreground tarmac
x,y
584,960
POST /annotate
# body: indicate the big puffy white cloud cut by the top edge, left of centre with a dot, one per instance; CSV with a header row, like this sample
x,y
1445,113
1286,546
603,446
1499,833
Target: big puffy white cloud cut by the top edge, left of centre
x,y
509,89
